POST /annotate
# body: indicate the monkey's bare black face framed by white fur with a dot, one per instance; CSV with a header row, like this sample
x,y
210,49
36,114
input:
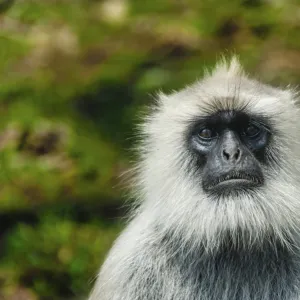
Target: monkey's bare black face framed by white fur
x,y
230,148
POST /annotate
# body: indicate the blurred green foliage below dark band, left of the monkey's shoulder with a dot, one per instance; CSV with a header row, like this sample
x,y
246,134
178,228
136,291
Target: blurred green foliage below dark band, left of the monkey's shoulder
x,y
56,257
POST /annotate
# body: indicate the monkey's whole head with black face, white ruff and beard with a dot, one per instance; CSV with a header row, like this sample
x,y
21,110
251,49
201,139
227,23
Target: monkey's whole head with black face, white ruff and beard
x,y
221,160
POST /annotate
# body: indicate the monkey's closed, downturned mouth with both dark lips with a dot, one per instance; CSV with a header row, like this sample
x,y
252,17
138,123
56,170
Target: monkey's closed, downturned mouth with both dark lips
x,y
234,181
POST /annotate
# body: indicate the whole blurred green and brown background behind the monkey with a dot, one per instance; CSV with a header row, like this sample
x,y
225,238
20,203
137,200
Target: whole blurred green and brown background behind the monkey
x,y
74,76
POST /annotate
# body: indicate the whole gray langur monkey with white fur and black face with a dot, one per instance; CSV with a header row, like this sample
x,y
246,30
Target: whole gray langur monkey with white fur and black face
x,y
219,210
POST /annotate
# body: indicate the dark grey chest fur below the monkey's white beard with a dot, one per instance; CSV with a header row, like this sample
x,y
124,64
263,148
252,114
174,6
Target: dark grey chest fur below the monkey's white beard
x,y
270,272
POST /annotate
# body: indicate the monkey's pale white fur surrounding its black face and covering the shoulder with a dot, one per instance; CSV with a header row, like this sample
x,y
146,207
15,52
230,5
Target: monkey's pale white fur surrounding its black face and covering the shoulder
x,y
171,198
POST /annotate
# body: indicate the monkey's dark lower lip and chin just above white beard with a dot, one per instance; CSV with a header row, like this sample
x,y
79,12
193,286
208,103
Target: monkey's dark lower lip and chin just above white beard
x,y
233,187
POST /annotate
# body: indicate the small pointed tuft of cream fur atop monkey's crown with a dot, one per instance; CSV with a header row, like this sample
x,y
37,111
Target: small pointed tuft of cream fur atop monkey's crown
x,y
228,68
